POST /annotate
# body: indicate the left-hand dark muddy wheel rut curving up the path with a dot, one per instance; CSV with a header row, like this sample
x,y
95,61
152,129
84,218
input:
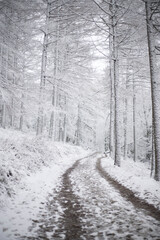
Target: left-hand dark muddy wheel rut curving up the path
x,y
73,213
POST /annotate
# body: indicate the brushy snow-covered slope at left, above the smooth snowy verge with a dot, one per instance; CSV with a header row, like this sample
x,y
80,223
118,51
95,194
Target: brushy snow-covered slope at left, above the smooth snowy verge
x,y
23,154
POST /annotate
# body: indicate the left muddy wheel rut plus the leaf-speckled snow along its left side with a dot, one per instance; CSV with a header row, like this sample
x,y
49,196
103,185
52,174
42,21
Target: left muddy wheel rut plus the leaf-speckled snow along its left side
x,y
69,225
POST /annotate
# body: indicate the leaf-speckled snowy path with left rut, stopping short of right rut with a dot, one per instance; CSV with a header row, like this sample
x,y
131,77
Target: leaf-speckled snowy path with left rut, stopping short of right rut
x,y
86,206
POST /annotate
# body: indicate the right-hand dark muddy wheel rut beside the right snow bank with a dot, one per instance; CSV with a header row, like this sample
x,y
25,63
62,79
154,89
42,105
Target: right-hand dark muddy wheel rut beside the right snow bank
x,y
128,194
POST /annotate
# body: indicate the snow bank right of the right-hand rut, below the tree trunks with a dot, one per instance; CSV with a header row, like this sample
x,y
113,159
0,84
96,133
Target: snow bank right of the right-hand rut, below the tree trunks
x,y
136,177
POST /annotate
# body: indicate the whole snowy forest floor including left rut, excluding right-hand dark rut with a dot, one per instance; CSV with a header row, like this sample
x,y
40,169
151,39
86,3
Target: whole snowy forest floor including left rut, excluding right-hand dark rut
x,y
34,188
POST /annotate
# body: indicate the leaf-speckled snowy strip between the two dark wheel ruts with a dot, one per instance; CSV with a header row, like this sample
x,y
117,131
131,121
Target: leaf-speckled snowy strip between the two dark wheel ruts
x,y
108,215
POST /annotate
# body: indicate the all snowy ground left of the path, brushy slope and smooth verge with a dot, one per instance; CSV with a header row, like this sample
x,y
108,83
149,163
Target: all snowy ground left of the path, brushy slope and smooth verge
x,y
30,170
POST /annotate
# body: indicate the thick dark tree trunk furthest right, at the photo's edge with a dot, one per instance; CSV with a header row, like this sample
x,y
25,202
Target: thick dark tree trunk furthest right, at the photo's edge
x,y
155,89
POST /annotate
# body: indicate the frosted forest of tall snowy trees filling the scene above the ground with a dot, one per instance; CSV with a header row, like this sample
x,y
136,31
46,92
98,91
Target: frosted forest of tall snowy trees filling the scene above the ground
x,y
50,54
